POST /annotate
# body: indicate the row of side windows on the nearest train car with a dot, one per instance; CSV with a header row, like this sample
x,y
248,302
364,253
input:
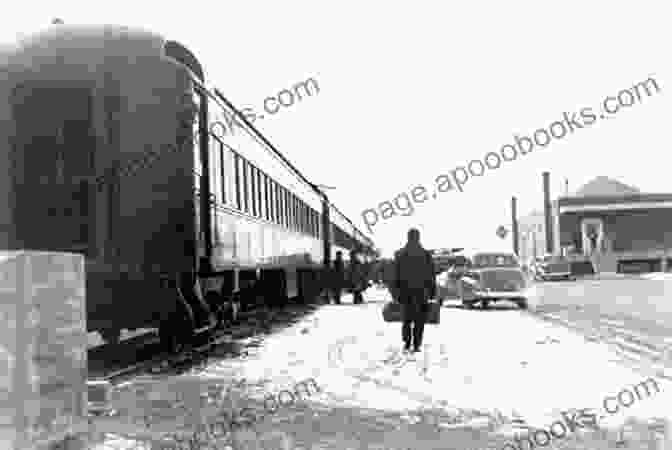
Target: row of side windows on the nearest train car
x,y
237,183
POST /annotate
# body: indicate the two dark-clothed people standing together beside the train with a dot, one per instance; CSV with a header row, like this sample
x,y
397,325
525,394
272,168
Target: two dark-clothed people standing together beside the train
x,y
355,278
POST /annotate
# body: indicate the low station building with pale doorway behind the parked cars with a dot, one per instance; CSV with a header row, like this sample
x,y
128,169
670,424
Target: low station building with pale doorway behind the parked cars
x,y
617,227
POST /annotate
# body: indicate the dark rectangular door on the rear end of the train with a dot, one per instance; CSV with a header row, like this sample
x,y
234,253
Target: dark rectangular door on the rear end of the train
x,y
53,152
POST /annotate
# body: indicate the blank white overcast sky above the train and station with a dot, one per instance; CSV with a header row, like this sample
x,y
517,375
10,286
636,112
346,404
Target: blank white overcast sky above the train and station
x,y
410,90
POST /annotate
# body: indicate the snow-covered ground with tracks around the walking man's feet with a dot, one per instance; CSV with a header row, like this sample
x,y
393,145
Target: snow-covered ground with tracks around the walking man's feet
x,y
482,380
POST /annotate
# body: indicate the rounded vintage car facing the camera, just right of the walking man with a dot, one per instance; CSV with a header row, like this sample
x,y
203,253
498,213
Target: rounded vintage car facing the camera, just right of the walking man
x,y
493,277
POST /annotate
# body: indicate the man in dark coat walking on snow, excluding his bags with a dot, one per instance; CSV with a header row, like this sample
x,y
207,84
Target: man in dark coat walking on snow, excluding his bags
x,y
416,283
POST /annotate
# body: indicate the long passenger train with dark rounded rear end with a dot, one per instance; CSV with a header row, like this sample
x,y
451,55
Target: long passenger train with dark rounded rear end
x,y
107,149
